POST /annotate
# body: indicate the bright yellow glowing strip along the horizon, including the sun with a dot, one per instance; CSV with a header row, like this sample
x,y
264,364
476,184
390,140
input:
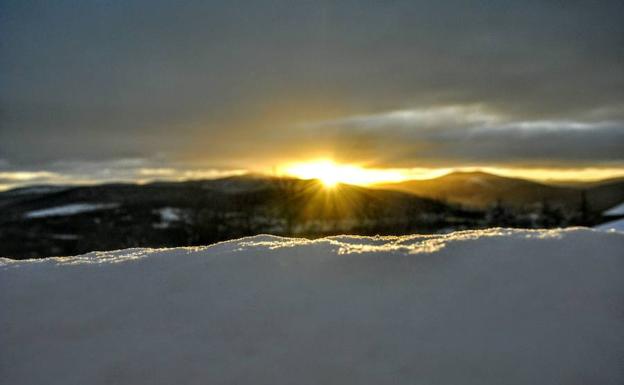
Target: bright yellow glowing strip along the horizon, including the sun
x,y
326,170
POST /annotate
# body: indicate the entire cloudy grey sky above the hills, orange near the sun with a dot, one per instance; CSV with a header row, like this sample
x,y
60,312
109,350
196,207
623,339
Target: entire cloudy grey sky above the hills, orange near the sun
x,y
132,90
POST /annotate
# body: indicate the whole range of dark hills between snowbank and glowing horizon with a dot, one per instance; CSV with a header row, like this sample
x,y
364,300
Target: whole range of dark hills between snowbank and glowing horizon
x,y
70,220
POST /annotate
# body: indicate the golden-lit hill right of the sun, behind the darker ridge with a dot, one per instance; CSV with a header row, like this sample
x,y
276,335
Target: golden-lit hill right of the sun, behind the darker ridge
x,y
479,189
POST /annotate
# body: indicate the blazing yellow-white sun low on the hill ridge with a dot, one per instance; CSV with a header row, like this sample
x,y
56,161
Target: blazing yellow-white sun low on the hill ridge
x,y
330,173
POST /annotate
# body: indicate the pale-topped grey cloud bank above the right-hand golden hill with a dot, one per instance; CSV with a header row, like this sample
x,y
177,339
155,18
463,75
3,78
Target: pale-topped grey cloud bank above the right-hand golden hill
x,y
460,135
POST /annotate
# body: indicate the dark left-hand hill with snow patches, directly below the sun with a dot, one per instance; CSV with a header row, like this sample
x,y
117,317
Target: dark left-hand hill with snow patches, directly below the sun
x,y
69,220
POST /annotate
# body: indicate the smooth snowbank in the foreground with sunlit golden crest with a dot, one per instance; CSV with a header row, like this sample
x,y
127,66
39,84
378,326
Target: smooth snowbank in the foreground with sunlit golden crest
x,y
478,307
